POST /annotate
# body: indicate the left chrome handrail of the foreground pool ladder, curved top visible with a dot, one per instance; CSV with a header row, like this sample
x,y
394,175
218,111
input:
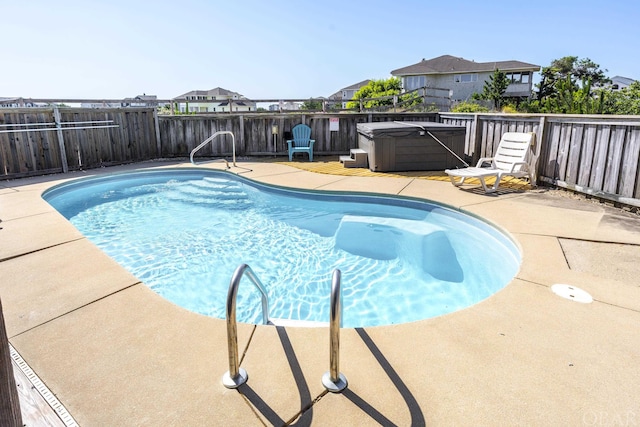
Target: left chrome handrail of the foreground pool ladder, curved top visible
x,y
237,376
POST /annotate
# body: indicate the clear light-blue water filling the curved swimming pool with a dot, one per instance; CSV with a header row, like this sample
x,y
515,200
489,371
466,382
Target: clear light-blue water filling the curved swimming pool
x,y
183,232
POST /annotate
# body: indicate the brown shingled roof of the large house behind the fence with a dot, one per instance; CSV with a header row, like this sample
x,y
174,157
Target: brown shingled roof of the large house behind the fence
x,y
447,64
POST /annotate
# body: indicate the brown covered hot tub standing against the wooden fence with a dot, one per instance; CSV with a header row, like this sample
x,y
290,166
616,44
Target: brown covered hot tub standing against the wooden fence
x,y
407,146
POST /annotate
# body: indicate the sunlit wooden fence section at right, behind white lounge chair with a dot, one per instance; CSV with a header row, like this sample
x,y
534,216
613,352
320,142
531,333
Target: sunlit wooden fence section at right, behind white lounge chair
x,y
596,155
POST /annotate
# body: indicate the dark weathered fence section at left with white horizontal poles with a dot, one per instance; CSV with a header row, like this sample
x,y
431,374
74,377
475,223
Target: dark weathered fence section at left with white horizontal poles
x,y
38,141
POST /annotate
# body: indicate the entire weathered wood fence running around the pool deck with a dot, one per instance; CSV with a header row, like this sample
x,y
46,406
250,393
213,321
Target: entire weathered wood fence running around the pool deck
x,y
597,155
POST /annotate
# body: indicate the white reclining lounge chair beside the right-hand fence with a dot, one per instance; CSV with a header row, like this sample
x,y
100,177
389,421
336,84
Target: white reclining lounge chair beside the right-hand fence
x,y
508,160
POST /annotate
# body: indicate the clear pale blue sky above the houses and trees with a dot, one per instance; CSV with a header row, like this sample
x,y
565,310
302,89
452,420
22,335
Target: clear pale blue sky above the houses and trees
x,y
286,48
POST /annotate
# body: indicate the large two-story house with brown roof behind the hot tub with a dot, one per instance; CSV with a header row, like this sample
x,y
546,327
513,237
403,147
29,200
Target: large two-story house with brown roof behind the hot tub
x,y
463,78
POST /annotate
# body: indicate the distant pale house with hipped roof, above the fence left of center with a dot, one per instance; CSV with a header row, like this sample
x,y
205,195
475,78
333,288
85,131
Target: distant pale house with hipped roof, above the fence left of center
x,y
218,101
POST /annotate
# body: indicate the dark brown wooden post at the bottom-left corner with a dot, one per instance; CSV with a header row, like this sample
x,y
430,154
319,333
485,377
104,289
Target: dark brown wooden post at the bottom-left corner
x,y
9,402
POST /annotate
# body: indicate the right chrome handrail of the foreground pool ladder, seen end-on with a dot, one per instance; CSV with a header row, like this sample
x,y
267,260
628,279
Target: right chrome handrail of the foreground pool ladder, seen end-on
x,y
333,380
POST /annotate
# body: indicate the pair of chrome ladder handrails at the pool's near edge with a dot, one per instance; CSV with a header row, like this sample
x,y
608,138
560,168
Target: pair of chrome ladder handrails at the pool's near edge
x,y
332,380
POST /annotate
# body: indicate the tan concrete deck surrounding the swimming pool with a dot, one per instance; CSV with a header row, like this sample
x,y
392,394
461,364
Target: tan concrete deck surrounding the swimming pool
x,y
115,353
